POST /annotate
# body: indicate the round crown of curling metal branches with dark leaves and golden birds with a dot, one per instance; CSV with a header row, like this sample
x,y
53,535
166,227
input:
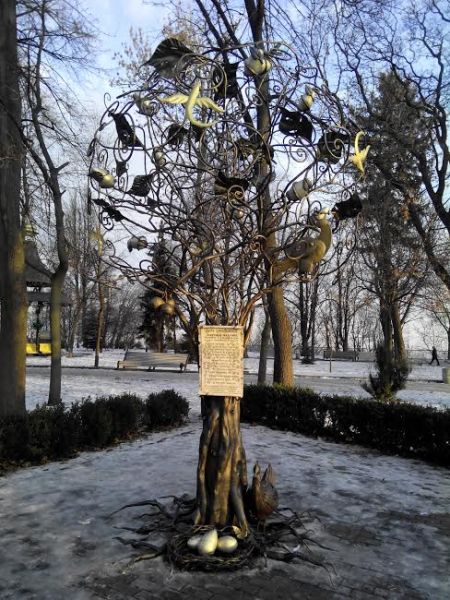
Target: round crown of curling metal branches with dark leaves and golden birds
x,y
187,147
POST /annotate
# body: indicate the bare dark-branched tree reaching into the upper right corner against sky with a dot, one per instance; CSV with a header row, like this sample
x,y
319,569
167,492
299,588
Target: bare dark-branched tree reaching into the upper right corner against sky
x,y
410,42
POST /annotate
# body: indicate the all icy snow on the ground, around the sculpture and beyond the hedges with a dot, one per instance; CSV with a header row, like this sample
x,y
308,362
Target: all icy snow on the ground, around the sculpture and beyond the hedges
x,y
384,518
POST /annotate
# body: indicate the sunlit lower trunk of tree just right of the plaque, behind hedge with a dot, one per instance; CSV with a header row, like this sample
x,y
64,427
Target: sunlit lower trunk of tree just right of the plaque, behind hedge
x,y
283,370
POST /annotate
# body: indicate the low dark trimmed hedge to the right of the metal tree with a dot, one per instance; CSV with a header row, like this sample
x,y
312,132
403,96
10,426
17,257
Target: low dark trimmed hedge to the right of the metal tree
x,y
390,427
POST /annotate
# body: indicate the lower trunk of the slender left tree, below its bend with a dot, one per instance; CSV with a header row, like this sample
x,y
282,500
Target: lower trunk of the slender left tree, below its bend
x,y
54,395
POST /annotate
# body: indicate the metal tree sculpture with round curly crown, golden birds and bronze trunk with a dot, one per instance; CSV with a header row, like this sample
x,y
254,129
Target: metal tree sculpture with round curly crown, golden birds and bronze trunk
x,y
221,170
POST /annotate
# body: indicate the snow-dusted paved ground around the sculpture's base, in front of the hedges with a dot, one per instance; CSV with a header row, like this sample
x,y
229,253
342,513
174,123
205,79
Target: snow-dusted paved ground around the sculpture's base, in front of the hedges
x,y
385,520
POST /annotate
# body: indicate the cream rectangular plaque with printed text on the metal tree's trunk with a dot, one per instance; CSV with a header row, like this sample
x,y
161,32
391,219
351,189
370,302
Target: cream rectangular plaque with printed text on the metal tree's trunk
x,y
221,361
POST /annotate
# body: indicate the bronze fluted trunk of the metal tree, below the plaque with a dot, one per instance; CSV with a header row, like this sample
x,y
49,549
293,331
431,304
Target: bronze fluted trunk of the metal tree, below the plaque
x,y
222,465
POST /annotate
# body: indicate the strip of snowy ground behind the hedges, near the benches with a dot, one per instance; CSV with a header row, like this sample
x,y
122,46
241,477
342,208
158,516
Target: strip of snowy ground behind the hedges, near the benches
x,y
345,378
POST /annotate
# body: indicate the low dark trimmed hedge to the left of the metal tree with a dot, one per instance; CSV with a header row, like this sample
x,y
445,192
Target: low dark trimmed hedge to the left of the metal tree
x,y
58,432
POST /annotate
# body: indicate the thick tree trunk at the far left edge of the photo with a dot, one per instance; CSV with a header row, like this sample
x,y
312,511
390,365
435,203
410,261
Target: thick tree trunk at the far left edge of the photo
x,y
12,259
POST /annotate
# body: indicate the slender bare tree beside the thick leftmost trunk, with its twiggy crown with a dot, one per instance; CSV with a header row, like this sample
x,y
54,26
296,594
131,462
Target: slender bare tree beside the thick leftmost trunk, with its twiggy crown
x,y
52,34
